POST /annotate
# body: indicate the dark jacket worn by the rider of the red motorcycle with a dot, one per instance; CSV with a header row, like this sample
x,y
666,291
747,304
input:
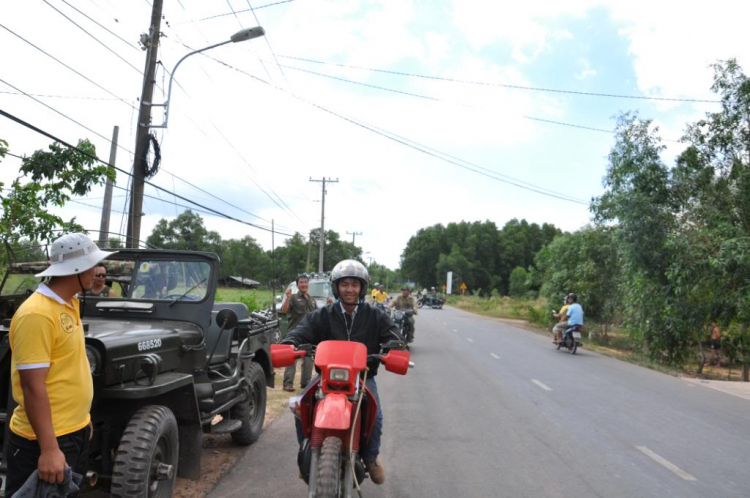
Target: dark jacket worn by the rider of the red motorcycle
x,y
372,327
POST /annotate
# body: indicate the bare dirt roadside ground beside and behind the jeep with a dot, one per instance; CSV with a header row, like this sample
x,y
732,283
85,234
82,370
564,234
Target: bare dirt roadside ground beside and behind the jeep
x,y
219,452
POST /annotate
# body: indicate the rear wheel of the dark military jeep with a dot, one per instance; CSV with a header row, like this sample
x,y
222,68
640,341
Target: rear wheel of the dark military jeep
x,y
252,411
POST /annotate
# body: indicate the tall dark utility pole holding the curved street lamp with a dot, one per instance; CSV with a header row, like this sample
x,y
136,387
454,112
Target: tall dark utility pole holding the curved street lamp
x,y
144,120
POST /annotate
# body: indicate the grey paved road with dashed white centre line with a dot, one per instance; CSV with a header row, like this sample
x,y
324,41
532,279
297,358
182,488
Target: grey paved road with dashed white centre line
x,y
493,411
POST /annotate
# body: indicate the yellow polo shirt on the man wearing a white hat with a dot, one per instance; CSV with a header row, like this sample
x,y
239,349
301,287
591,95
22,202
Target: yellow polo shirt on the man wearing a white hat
x,y
46,332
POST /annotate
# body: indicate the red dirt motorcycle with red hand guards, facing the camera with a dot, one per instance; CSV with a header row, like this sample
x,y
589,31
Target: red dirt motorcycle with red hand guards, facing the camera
x,y
337,412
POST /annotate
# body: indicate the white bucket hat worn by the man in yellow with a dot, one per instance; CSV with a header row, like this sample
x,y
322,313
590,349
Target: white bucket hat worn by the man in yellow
x,y
73,253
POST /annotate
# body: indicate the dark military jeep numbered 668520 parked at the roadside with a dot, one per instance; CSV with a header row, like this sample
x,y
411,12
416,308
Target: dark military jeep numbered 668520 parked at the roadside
x,y
169,365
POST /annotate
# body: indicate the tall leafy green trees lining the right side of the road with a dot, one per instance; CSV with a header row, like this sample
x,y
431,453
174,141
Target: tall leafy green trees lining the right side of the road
x,y
670,248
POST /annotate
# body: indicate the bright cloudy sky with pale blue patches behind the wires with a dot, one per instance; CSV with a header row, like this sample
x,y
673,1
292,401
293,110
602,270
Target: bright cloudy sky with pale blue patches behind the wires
x,y
230,133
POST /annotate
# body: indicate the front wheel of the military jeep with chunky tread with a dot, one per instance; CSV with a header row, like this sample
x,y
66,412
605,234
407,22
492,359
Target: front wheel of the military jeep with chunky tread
x,y
146,459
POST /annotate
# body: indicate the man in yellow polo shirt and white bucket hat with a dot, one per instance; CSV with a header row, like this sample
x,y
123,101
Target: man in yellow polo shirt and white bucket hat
x,y
51,427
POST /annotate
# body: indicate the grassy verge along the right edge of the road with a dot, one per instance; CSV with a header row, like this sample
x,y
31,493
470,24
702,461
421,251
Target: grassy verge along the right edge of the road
x,y
537,316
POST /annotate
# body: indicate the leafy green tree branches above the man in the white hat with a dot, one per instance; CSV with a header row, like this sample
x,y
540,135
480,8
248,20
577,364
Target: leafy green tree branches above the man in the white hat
x,y
48,179
